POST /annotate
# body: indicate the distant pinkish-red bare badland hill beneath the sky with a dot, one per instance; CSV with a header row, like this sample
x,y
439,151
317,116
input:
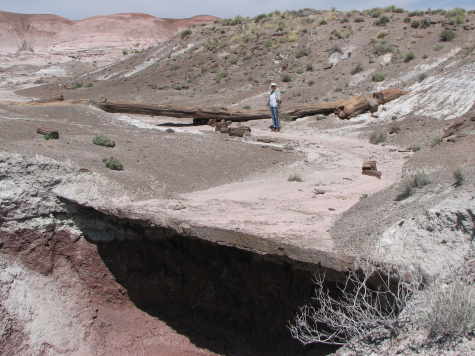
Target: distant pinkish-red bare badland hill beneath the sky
x,y
51,34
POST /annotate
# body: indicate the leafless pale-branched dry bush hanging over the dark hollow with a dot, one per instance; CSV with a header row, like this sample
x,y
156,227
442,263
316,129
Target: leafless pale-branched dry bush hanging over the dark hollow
x,y
369,298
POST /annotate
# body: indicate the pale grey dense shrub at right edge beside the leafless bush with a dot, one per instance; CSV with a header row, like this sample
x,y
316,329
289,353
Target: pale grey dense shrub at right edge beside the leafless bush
x,y
450,309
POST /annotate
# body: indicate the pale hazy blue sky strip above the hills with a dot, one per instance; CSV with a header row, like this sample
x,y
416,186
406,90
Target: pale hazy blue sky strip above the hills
x,y
76,9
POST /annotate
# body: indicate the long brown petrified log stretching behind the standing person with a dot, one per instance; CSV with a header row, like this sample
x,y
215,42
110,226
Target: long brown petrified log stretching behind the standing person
x,y
345,109
